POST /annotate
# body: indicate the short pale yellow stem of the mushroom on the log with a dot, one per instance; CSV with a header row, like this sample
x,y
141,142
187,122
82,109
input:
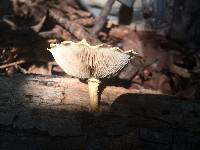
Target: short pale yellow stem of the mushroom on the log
x,y
93,85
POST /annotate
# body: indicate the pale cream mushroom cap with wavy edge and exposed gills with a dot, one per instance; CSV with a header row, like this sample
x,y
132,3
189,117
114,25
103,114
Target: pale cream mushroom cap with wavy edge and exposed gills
x,y
82,60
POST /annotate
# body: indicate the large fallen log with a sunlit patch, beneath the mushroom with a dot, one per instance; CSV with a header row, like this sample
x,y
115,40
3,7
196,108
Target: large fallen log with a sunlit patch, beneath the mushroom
x,y
45,112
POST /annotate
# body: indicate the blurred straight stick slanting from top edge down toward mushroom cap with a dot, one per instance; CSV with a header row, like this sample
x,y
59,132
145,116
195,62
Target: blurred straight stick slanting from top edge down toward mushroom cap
x,y
102,18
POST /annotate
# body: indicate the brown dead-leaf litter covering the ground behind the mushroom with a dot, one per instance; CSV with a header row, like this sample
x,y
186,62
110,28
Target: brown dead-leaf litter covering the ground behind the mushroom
x,y
29,28
